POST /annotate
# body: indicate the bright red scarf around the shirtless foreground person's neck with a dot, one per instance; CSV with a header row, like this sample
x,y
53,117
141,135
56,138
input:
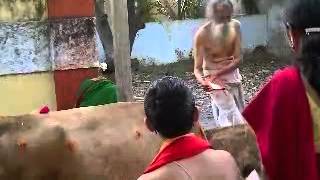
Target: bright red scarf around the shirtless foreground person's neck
x,y
181,148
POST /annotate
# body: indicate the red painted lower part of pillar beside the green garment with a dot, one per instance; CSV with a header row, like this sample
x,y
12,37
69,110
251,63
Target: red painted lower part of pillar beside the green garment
x,y
67,83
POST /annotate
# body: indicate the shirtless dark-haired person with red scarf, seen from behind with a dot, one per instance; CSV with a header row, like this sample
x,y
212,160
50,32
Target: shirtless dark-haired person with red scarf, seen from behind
x,y
182,156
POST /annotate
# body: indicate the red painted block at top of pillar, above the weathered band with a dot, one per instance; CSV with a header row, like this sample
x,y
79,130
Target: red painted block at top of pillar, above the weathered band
x,y
71,8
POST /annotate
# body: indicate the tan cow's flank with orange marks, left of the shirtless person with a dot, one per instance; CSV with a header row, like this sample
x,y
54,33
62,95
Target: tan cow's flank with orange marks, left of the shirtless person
x,y
105,142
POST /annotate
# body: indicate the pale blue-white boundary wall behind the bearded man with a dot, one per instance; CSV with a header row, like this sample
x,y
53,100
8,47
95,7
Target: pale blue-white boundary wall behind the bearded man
x,y
159,41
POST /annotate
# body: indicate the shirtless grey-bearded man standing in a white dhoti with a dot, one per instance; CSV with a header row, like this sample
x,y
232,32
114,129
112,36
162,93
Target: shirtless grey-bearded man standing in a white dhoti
x,y
217,54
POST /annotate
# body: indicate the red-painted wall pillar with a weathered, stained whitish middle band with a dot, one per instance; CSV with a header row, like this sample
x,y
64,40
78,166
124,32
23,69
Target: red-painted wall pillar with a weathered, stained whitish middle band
x,y
73,49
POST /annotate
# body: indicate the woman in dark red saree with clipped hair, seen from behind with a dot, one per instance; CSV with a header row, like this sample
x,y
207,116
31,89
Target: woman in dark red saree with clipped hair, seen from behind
x,y
285,113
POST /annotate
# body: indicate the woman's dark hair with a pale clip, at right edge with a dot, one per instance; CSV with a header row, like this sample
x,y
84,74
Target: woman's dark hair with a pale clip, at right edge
x,y
302,15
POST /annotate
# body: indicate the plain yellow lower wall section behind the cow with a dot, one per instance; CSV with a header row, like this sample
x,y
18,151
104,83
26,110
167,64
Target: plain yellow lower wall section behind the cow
x,y
22,94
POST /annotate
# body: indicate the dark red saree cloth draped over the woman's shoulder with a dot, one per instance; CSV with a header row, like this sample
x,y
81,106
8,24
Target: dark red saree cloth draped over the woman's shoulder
x,y
281,118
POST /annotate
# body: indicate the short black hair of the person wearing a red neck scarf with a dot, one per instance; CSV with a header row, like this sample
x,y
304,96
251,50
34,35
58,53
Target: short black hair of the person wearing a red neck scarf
x,y
169,106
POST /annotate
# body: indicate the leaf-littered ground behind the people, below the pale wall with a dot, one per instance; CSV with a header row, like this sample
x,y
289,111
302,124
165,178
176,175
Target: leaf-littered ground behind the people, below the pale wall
x,y
256,67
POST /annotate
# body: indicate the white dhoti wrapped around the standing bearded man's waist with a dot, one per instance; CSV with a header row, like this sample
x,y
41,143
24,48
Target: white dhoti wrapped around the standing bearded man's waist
x,y
228,104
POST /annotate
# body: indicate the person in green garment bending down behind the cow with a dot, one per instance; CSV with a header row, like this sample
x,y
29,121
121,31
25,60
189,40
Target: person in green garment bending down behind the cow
x,y
97,91
